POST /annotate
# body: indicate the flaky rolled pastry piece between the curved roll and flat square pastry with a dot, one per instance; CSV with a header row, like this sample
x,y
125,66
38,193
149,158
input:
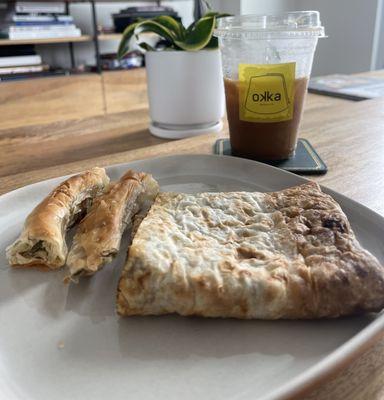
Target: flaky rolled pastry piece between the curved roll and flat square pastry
x,y
97,240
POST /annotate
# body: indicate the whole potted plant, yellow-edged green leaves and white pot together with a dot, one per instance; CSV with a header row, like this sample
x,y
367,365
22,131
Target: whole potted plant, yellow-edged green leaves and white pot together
x,y
185,83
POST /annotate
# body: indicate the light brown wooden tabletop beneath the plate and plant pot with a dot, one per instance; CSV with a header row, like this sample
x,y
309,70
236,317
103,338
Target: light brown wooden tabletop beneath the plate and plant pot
x,y
349,136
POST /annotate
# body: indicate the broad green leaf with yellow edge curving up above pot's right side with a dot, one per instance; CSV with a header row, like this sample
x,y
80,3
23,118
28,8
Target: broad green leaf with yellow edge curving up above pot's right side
x,y
199,35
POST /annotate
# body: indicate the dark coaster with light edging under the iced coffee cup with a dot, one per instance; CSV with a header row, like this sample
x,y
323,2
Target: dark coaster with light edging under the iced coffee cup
x,y
305,161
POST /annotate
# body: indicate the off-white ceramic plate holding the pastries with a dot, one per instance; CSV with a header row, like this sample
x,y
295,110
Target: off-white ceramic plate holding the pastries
x,y
67,343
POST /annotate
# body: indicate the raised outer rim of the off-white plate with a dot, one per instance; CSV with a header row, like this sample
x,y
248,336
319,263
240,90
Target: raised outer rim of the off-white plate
x,y
331,364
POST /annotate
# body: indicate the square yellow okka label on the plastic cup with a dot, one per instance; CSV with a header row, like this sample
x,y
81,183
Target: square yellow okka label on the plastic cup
x,y
266,92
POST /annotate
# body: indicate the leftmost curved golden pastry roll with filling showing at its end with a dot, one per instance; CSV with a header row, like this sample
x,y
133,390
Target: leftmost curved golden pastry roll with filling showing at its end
x,y
42,243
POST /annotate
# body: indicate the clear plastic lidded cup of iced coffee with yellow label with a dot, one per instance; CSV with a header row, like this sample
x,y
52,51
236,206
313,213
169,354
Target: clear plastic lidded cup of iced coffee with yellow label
x,y
267,61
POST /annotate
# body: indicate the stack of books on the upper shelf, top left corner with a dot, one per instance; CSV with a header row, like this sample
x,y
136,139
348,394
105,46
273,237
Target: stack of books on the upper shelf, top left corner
x,y
41,20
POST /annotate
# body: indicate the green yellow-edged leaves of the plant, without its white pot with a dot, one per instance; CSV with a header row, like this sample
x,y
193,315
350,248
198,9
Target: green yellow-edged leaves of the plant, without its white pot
x,y
197,36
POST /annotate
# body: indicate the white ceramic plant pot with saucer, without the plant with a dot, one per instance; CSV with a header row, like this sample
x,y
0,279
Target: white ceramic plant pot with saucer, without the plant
x,y
185,92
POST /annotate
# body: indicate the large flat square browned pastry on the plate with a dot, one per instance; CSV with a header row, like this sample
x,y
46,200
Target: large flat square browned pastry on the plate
x,y
289,254
